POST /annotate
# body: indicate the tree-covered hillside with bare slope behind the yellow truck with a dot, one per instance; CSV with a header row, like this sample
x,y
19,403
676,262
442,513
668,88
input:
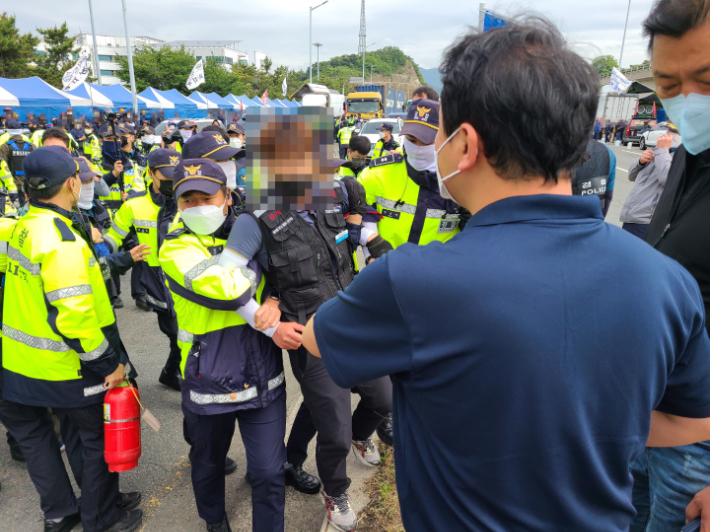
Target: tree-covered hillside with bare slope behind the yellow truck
x,y
390,65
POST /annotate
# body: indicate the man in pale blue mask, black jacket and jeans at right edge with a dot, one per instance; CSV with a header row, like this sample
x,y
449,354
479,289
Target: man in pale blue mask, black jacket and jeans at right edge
x,y
679,42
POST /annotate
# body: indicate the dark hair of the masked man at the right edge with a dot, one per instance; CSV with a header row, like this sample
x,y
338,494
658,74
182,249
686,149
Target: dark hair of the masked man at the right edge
x,y
675,18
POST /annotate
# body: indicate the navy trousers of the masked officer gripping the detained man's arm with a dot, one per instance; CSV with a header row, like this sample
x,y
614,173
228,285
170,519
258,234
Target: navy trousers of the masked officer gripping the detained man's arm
x,y
263,431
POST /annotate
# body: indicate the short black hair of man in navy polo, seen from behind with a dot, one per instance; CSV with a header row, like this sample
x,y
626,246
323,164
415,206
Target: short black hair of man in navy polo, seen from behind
x,y
528,96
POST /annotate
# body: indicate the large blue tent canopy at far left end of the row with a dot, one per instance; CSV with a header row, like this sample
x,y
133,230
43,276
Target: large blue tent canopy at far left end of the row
x,y
33,95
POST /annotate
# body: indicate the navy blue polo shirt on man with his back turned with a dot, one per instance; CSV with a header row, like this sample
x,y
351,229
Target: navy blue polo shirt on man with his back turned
x,y
527,353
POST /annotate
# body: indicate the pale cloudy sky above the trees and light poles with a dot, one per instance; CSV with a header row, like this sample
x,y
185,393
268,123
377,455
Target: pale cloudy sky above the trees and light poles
x,y
422,29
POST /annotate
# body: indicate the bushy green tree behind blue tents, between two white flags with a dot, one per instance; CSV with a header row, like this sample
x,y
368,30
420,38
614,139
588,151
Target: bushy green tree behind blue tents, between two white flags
x,y
163,69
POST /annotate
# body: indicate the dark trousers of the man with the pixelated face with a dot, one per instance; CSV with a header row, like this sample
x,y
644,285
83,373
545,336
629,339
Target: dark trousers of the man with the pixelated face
x,y
326,411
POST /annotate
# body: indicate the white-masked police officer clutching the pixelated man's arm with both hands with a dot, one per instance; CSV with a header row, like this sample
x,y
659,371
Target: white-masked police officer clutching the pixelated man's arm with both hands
x,y
231,372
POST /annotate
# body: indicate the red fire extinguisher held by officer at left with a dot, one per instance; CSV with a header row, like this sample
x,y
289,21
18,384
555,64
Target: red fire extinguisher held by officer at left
x,y
122,428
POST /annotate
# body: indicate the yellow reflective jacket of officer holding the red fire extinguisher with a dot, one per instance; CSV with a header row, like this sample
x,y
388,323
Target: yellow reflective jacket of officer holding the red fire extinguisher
x,y
60,338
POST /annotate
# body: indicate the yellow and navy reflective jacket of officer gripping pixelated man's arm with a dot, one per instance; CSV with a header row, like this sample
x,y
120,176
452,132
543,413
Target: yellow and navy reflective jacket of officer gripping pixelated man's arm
x,y
226,365
